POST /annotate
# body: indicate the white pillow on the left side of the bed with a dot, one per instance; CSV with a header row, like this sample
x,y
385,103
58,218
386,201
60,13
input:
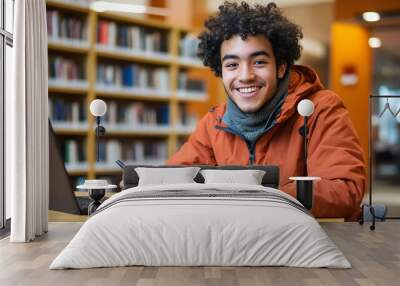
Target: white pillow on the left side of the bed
x,y
166,176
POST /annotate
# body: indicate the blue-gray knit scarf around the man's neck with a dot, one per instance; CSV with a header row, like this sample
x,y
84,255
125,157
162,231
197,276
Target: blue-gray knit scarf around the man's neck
x,y
251,125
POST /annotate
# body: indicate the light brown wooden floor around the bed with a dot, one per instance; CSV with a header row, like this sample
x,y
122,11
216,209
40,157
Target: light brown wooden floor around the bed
x,y
374,255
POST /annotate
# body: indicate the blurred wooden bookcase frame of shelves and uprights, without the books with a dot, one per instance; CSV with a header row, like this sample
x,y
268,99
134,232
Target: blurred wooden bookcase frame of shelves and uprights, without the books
x,y
90,53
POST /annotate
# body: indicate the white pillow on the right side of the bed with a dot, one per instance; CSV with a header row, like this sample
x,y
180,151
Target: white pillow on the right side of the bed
x,y
248,177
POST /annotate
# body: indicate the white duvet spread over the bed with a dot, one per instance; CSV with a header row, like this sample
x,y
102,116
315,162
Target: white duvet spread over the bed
x,y
183,231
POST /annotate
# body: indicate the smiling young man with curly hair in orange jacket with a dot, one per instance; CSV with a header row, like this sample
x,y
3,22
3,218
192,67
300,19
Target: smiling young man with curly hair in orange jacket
x,y
253,50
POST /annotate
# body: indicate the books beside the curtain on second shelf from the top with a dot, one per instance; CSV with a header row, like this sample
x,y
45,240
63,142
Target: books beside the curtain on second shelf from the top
x,y
66,68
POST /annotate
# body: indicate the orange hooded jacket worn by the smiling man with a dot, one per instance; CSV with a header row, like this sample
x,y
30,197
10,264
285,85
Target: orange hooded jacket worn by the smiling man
x,y
334,151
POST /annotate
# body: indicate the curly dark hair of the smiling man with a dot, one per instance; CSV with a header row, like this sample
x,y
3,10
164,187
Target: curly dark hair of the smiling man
x,y
243,20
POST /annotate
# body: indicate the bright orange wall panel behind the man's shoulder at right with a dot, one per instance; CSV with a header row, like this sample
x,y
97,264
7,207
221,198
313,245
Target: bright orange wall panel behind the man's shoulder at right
x,y
350,47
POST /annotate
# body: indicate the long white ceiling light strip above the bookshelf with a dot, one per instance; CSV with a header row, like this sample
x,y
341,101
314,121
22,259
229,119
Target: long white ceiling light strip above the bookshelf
x,y
105,6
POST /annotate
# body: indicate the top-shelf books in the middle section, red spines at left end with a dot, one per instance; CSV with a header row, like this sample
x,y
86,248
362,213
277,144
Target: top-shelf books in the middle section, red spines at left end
x,y
113,34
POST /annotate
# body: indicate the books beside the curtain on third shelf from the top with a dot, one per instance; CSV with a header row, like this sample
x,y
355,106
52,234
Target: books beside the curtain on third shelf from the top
x,y
66,110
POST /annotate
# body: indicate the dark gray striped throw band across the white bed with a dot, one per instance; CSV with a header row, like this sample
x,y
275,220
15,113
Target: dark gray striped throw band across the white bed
x,y
202,194
